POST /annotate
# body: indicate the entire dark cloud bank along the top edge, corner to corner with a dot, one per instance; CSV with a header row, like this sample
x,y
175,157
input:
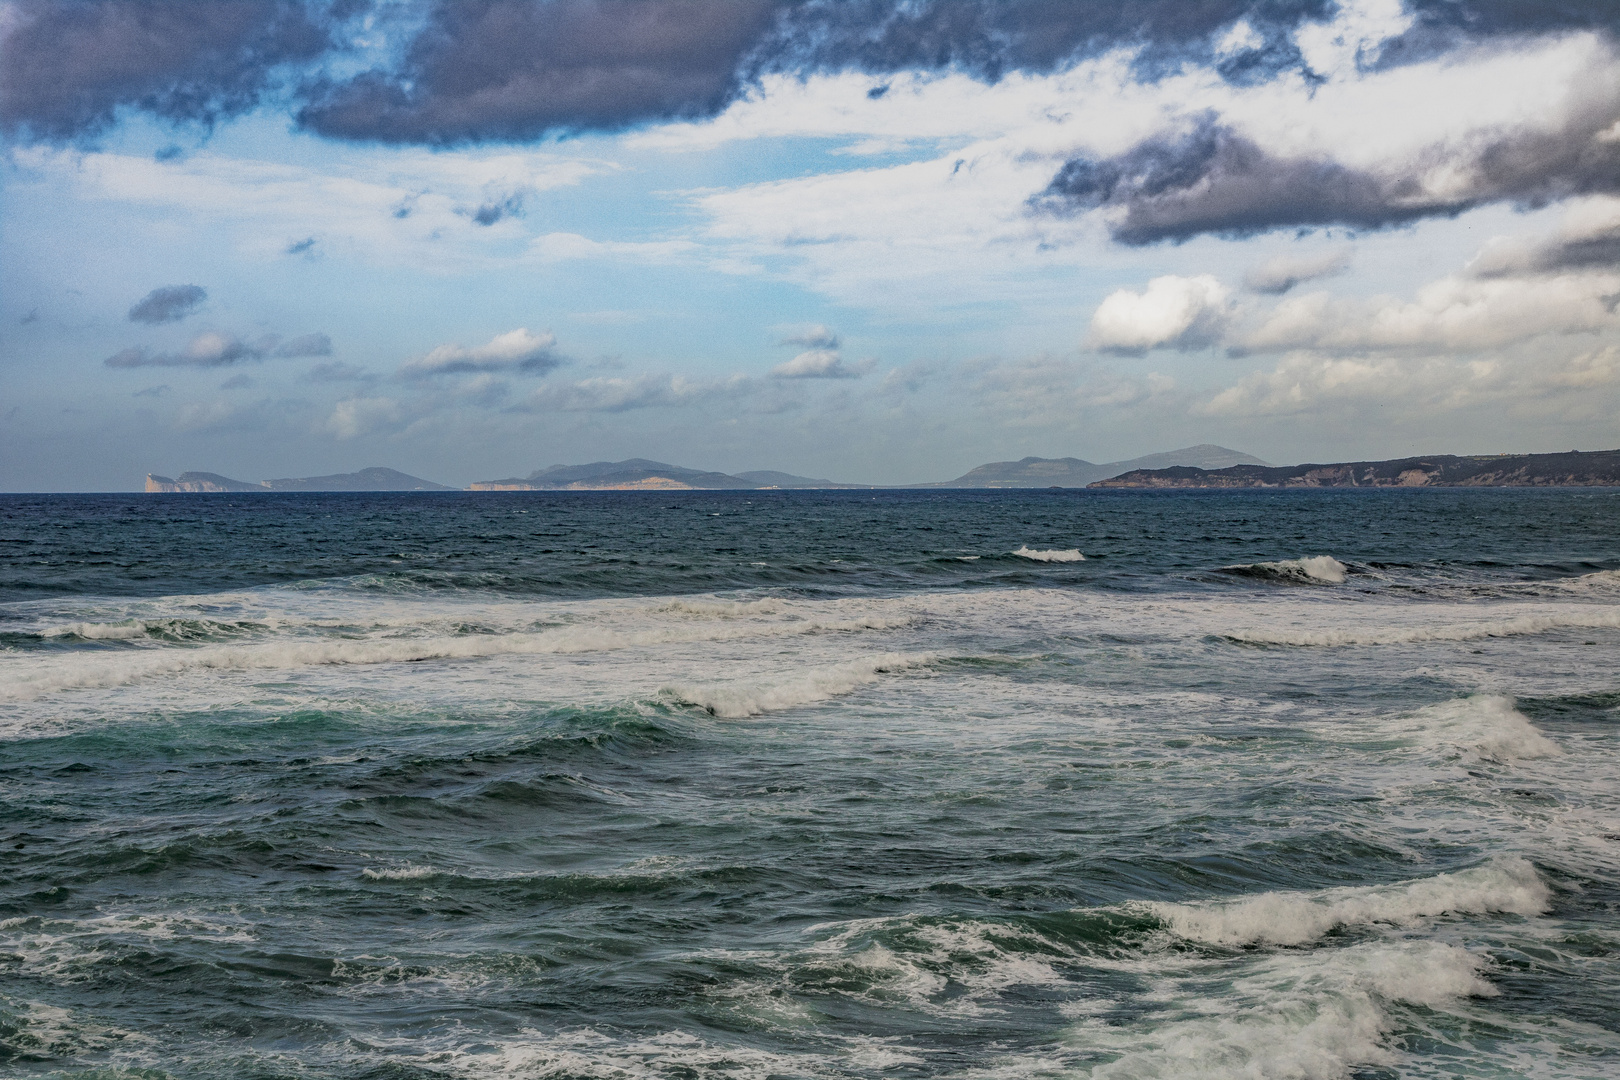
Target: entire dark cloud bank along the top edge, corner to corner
x,y
516,70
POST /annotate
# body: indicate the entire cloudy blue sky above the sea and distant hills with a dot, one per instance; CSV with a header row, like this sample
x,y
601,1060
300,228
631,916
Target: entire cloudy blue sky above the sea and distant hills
x,y
866,240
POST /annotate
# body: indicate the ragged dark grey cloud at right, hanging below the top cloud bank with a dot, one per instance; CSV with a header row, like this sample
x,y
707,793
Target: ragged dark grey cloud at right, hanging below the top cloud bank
x,y
1211,179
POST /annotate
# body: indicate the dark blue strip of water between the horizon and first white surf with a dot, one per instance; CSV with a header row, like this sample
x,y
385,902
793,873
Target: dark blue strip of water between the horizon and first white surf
x,y
670,543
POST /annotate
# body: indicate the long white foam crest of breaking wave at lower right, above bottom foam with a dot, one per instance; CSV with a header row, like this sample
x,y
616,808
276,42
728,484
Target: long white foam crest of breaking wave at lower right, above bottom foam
x,y
1294,919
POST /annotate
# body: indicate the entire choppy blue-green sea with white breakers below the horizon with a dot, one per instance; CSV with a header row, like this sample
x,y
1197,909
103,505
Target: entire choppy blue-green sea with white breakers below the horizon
x,y
756,786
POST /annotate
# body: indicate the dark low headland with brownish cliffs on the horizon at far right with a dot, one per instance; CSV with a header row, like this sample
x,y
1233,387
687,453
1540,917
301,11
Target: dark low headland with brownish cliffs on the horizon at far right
x,y
1524,470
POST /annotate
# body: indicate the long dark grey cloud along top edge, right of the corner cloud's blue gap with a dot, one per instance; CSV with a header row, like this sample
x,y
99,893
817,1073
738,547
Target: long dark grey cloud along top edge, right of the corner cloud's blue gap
x,y
518,70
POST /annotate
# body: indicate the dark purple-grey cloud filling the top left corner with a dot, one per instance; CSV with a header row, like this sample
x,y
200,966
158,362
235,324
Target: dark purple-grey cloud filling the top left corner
x,y
69,66
